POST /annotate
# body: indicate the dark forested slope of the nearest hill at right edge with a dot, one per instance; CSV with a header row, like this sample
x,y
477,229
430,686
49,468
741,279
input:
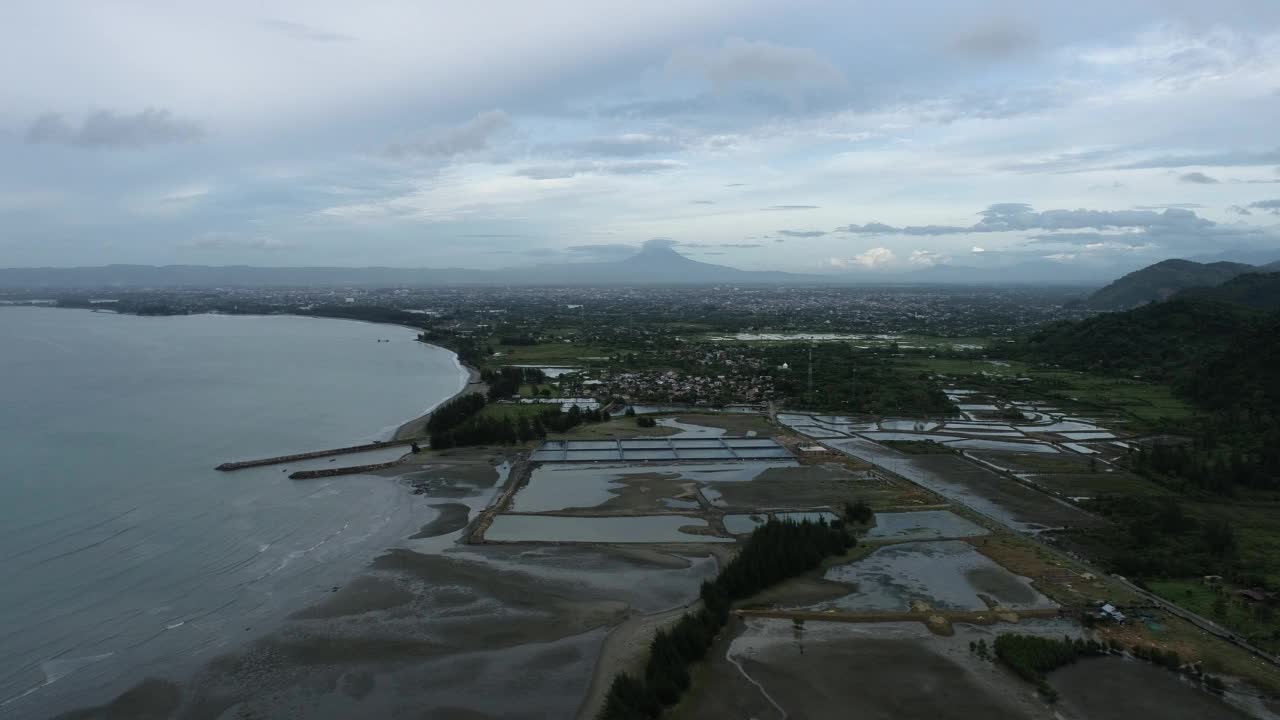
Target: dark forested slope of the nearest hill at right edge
x,y
1226,359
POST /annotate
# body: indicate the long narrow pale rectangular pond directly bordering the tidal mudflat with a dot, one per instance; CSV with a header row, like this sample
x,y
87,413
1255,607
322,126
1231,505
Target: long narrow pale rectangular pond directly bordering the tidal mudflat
x,y
643,530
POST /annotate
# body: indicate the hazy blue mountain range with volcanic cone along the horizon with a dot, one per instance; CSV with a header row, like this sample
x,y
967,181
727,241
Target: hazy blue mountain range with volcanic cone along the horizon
x,y
652,266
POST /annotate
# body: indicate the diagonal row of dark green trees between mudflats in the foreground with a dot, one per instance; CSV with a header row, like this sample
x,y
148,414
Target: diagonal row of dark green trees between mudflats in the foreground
x,y
774,553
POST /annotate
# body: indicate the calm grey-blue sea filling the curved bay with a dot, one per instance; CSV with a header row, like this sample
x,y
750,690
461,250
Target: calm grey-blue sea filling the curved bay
x,y
122,553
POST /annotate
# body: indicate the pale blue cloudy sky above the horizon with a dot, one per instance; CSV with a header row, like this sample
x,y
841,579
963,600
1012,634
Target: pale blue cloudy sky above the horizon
x,y
807,136
